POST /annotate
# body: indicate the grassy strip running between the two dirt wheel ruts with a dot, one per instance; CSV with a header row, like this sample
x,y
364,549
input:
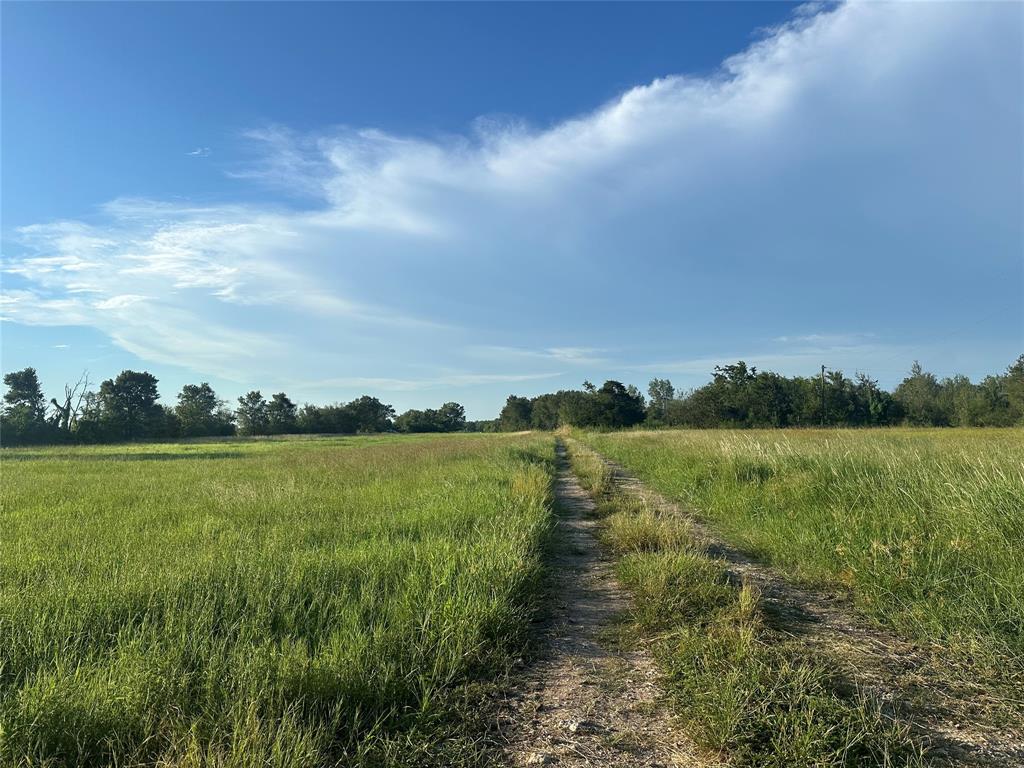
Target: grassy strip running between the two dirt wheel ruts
x,y
750,696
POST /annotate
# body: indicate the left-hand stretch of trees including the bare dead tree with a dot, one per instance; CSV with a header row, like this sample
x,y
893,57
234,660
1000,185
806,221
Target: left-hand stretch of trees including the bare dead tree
x,y
127,408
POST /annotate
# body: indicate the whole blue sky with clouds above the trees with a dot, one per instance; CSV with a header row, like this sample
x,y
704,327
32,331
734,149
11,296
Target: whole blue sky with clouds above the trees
x,y
459,202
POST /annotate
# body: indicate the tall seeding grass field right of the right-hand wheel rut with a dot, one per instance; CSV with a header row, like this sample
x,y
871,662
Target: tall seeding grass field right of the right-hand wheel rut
x,y
925,529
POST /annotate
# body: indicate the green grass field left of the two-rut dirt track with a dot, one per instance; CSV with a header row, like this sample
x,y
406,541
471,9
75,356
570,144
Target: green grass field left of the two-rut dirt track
x,y
275,604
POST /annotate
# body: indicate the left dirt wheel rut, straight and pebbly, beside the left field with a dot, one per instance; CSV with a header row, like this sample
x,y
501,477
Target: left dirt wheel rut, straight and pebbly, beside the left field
x,y
586,702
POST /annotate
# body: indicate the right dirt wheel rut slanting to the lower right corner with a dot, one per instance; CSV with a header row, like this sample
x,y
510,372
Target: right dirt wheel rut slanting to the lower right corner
x,y
946,714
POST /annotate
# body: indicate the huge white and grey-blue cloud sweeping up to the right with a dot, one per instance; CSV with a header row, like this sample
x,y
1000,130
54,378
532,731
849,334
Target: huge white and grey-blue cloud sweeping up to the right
x,y
861,166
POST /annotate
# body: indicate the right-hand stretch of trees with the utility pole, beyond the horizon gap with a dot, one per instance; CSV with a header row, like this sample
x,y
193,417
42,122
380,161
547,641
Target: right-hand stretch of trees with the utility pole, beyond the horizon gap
x,y
742,397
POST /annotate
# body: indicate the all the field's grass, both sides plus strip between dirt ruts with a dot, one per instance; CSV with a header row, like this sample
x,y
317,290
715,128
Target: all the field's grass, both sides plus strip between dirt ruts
x,y
356,602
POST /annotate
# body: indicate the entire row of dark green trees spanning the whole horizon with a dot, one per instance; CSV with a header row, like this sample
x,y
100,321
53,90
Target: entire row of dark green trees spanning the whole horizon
x,y
127,407
